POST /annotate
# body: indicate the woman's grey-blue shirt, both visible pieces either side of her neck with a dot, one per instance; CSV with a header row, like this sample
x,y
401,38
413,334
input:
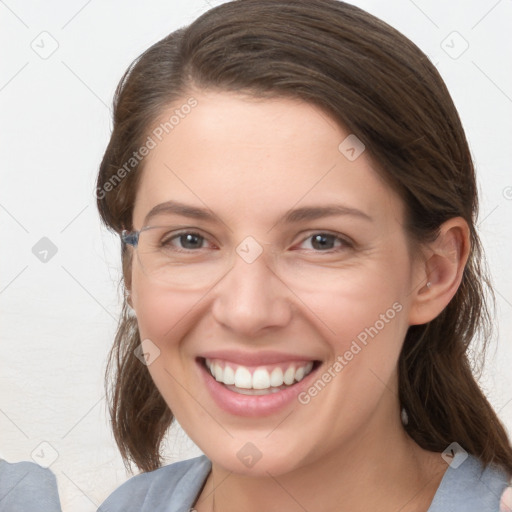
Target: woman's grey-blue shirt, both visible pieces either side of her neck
x,y
175,488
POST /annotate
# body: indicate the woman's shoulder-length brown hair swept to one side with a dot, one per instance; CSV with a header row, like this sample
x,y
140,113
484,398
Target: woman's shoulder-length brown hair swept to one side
x,y
382,88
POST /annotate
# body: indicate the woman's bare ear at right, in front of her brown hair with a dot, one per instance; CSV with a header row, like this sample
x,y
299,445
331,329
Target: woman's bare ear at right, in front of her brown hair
x,y
439,273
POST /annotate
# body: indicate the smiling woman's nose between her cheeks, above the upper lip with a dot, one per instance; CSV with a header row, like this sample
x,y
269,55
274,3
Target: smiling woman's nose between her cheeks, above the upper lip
x,y
251,298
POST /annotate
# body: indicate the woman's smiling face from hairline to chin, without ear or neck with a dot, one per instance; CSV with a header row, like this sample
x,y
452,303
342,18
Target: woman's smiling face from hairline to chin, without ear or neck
x,y
266,292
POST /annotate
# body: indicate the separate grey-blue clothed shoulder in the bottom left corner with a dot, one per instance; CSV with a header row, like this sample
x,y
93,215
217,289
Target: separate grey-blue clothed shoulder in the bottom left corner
x,y
27,486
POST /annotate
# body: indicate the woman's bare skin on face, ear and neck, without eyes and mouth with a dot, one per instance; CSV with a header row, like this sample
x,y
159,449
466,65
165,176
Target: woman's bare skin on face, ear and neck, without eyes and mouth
x,y
250,161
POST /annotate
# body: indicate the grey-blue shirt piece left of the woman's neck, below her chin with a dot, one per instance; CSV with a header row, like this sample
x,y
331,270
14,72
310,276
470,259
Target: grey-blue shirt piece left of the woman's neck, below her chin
x,y
152,491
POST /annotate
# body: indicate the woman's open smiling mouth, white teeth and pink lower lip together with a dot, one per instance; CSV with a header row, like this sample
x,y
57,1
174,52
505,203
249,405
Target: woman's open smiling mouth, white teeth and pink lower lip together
x,y
256,390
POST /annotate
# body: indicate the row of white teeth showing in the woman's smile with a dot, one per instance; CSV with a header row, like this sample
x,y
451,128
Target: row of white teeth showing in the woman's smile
x,y
261,379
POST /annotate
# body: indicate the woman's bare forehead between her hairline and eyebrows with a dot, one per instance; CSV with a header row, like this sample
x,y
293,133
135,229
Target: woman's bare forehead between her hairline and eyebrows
x,y
238,155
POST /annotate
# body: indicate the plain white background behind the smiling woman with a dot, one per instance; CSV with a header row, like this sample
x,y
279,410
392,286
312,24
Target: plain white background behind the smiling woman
x,y
58,318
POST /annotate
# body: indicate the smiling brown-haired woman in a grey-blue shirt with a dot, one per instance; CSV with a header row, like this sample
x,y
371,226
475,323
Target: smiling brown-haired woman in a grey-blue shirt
x,y
297,202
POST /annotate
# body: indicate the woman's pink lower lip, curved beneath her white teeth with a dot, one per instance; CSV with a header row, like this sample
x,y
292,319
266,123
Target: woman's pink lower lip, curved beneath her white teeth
x,y
252,405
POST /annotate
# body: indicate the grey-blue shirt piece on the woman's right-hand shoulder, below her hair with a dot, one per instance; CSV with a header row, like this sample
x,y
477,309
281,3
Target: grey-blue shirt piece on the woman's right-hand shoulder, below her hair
x,y
470,487
